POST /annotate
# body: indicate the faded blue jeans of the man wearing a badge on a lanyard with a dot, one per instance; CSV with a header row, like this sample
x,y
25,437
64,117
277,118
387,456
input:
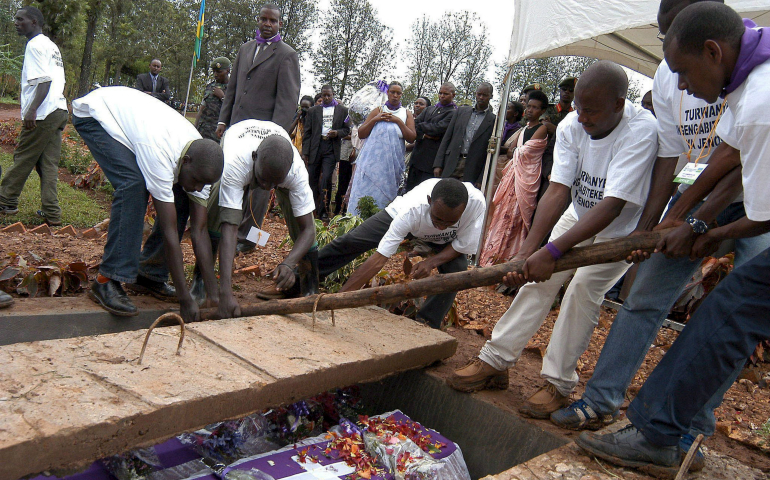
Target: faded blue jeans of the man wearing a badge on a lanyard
x,y
659,283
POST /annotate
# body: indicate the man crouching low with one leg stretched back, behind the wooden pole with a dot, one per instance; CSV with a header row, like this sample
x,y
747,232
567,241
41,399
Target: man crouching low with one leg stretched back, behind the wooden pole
x,y
445,213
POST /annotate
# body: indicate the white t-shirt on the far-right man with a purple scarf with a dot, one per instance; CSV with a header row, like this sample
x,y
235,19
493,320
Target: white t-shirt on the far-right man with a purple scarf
x,y
745,126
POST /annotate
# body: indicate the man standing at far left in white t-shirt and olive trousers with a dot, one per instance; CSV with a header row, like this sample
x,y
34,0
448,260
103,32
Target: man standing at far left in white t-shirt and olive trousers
x,y
44,112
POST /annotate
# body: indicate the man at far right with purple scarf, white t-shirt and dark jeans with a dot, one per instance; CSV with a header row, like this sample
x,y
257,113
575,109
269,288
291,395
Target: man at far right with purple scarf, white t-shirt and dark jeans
x,y
714,55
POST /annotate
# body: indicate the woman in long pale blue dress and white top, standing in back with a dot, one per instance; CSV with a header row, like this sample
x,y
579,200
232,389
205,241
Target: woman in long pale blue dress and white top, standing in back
x,y
380,164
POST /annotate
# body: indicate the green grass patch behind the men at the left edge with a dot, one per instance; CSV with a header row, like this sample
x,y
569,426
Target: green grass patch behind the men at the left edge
x,y
77,208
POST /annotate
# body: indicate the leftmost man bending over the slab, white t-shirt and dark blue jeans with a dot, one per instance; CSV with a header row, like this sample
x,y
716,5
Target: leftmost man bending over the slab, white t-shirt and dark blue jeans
x,y
143,145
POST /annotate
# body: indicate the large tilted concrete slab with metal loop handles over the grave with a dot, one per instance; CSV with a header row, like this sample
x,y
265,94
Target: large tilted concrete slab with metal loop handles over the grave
x,y
67,402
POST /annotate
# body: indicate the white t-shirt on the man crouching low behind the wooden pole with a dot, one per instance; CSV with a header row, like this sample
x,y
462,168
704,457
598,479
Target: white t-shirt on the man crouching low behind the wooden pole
x,y
411,214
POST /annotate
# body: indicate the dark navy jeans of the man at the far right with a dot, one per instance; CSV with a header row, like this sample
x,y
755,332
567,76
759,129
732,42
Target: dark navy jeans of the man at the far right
x,y
719,338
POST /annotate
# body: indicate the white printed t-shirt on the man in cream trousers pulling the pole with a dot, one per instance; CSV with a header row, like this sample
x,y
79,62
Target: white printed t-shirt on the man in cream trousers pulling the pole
x,y
618,165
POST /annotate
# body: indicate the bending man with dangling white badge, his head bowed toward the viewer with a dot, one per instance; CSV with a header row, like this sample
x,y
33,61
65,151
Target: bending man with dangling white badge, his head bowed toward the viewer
x,y
259,154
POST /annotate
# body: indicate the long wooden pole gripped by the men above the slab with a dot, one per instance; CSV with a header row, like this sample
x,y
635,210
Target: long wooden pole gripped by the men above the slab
x,y
605,252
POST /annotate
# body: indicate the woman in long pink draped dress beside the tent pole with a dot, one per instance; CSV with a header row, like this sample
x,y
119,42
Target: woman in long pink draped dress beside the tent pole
x,y
516,197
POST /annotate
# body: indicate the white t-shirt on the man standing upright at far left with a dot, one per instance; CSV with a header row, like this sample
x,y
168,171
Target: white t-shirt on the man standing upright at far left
x,y
42,63
